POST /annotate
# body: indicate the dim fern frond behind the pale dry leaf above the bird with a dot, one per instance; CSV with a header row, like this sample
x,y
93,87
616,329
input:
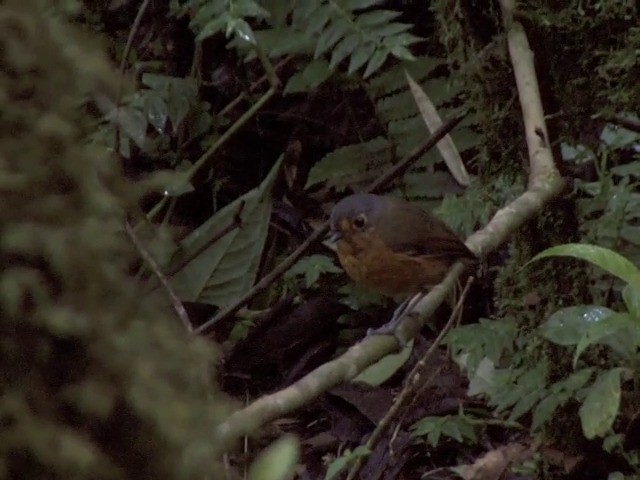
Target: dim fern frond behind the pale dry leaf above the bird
x,y
406,130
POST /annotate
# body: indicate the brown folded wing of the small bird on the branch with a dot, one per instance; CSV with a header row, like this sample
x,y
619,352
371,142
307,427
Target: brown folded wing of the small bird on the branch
x,y
409,229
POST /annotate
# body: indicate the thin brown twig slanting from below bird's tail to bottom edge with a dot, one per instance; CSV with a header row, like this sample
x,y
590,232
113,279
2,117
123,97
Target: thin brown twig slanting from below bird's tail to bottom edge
x,y
412,385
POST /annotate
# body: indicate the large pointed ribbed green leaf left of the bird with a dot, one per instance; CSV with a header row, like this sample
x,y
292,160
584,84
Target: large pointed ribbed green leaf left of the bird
x,y
224,269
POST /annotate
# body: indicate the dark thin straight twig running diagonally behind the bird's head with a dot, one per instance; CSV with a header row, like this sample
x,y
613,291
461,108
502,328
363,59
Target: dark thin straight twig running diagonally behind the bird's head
x,y
383,180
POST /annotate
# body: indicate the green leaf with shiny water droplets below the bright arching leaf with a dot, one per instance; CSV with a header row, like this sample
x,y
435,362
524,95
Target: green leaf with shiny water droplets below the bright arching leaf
x,y
568,325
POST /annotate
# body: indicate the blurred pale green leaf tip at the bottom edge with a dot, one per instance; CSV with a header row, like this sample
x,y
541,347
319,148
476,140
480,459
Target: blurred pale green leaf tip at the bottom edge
x,y
277,461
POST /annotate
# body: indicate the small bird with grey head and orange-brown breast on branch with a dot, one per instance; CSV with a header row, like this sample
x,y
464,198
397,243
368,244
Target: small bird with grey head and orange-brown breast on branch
x,y
392,246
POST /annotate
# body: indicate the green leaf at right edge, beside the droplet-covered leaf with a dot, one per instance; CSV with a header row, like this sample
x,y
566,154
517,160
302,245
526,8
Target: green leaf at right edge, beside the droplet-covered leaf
x,y
618,331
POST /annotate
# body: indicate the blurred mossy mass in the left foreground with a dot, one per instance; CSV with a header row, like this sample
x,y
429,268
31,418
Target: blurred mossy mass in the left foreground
x,y
95,382
